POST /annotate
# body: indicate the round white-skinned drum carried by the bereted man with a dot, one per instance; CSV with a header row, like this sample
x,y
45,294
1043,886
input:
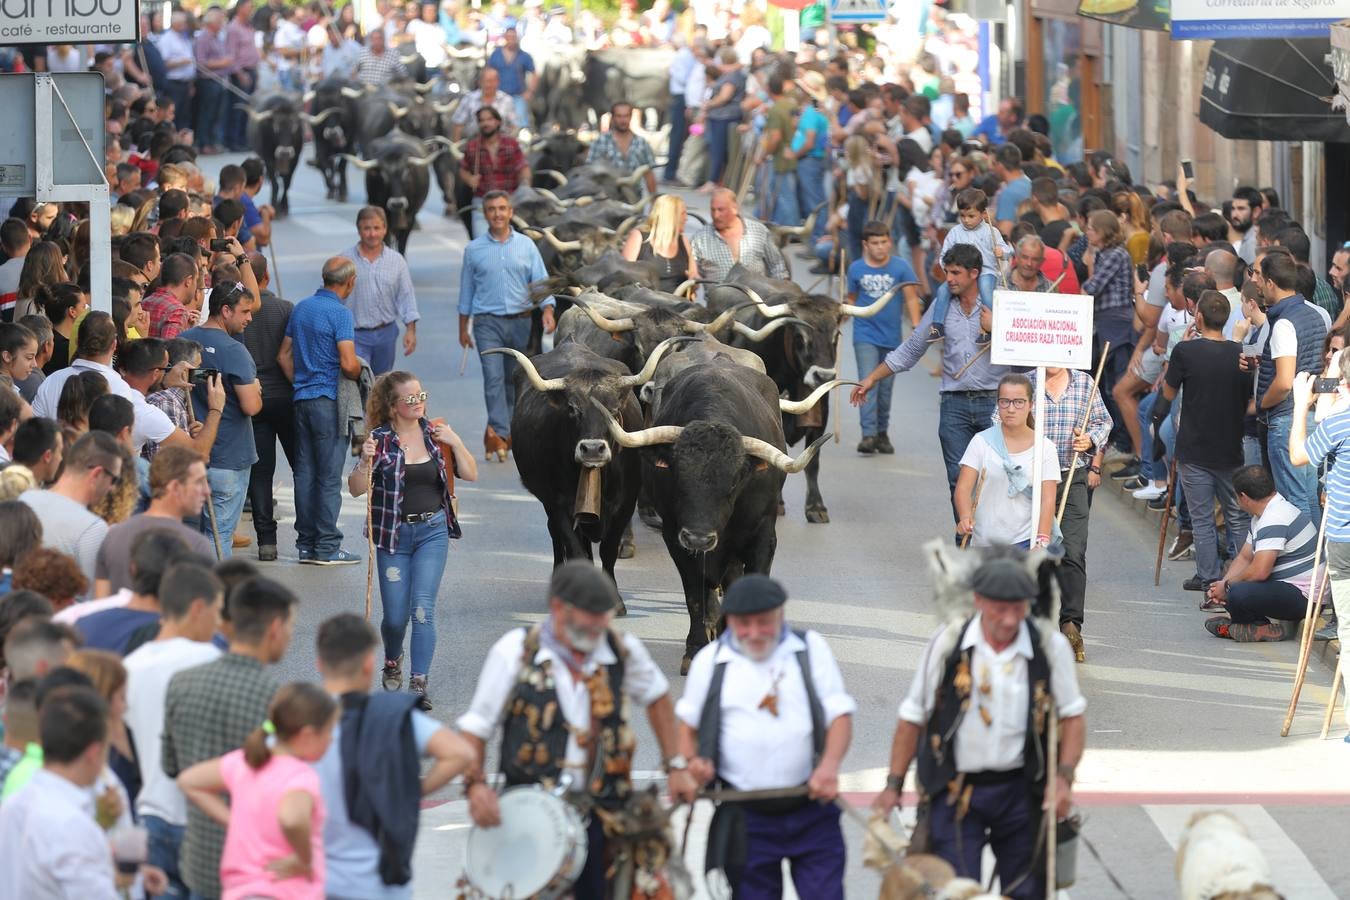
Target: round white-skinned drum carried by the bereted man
x,y
538,851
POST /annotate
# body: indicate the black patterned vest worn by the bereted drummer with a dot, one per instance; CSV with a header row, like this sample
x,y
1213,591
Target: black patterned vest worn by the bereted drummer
x,y
535,732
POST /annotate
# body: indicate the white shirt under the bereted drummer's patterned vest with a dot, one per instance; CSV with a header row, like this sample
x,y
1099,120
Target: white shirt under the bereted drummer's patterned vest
x,y
643,683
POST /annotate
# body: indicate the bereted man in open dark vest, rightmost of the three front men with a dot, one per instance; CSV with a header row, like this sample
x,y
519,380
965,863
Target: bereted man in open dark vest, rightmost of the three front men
x,y
975,720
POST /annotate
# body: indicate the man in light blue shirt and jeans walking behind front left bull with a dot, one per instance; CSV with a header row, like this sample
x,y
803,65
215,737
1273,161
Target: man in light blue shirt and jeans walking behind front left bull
x,y
495,298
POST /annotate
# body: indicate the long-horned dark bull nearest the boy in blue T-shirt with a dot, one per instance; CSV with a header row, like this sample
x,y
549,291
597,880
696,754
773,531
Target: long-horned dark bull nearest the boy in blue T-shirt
x,y
801,362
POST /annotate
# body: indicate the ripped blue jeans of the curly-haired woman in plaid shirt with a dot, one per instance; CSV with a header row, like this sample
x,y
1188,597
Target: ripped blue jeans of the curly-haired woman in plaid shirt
x,y
410,581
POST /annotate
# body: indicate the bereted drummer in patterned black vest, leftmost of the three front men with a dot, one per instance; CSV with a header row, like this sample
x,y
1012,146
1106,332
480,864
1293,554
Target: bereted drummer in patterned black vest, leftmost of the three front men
x,y
560,690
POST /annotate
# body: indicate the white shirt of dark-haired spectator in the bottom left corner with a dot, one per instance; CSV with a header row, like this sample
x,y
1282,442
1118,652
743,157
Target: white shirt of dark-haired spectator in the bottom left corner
x,y
51,845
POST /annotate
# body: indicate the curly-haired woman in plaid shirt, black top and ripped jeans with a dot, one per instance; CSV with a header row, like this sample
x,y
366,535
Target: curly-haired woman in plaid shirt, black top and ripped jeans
x,y
412,517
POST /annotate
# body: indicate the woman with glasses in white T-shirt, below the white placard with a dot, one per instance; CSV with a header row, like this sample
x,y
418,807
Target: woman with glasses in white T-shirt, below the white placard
x,y
1005,454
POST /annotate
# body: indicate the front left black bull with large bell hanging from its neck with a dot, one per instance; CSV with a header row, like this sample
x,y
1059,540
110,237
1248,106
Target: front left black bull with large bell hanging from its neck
x,y
562,445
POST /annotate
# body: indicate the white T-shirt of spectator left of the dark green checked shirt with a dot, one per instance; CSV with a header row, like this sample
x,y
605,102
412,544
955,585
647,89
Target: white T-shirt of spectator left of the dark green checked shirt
x,y
149,670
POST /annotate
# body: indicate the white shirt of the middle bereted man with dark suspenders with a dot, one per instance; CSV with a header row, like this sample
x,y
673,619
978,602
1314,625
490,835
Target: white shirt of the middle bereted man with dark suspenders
x,y
758,750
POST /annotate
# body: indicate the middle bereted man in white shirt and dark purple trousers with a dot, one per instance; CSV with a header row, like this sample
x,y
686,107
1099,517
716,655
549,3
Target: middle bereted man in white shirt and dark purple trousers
x,y
765,709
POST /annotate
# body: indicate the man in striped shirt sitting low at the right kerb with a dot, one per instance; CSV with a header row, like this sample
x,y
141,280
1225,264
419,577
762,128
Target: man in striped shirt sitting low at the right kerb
x,y
1266,590
